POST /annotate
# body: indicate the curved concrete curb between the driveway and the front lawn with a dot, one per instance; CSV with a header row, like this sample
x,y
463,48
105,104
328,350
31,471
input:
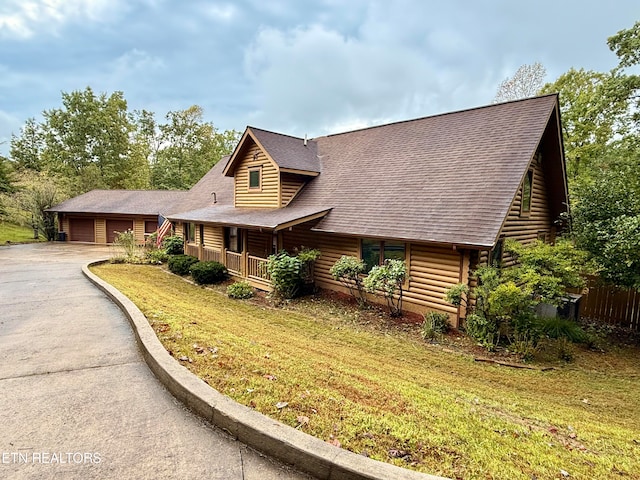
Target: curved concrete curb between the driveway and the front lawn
x,y
293,447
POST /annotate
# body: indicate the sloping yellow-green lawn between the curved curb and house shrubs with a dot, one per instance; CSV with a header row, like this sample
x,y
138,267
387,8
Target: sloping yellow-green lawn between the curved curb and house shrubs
x,y
389,395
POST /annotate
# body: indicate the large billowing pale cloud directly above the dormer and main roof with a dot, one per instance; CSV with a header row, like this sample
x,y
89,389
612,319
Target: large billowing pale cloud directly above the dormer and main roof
x,y
316,78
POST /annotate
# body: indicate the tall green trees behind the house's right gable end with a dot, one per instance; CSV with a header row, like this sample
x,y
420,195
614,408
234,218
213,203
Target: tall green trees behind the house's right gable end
x,y
601,132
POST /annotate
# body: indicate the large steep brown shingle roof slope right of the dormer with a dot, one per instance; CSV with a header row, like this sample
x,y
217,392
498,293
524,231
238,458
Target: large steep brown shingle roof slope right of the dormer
x,y
445,179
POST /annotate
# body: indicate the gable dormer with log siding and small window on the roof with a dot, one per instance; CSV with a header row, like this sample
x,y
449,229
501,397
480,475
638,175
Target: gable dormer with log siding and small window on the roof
x,y
270,169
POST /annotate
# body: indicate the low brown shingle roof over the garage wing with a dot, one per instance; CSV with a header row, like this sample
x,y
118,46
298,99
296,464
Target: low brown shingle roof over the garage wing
x,y
130,202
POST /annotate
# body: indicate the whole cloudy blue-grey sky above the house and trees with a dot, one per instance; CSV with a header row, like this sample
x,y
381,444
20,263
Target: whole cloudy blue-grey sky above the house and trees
x,y
293,66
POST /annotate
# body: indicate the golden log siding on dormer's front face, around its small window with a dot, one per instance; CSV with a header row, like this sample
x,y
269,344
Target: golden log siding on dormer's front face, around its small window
x,y
268,195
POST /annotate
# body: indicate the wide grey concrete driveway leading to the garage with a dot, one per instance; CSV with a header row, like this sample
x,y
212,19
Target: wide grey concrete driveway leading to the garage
x,y
77,399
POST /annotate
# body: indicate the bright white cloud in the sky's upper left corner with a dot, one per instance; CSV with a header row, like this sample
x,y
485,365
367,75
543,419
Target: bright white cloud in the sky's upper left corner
x,y
26,18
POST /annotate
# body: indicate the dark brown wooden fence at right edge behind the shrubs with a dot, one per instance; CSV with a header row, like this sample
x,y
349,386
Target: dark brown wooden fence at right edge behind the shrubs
x,y
611,305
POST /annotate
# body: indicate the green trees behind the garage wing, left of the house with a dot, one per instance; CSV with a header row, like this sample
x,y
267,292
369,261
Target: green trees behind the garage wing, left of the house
x,y
93,141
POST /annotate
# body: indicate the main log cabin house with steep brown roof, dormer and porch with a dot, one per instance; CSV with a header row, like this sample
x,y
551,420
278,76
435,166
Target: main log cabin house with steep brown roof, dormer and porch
x,y
440,192
